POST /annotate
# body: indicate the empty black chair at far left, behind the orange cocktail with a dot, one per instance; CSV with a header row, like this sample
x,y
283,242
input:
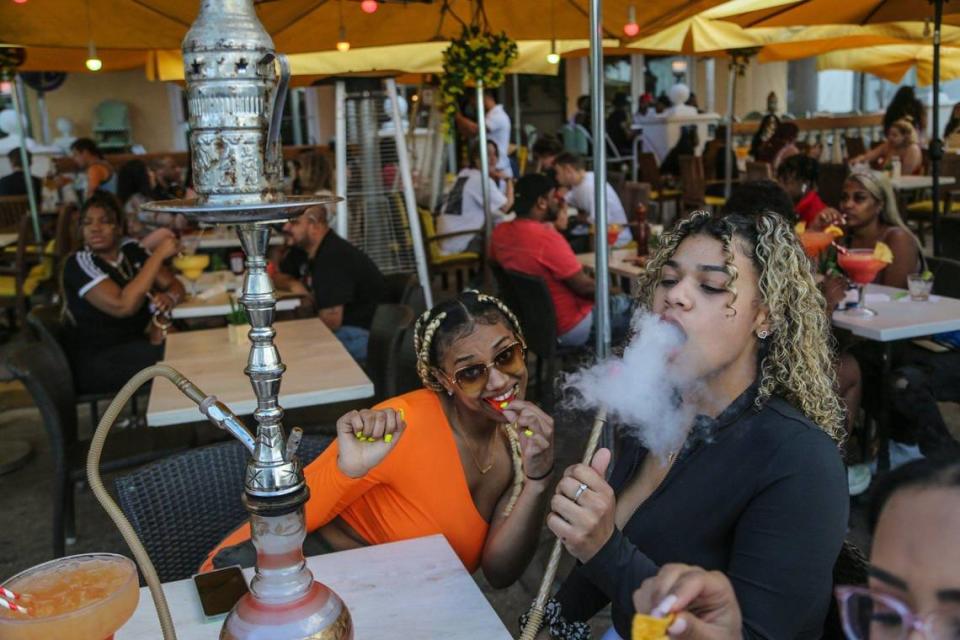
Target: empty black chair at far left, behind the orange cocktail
x,y
39,366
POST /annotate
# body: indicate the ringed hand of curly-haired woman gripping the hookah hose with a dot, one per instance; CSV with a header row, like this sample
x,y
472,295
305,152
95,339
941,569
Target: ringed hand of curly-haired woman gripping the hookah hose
x,y
584,522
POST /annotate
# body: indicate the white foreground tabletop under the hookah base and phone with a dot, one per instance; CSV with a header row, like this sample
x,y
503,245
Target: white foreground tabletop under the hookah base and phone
x,y
415,589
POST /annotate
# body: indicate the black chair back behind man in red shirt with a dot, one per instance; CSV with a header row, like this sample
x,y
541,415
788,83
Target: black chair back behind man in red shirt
x,y
530,300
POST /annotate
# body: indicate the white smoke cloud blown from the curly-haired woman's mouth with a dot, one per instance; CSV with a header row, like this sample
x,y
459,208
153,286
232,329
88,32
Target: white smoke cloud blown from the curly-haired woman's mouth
x,y
641,389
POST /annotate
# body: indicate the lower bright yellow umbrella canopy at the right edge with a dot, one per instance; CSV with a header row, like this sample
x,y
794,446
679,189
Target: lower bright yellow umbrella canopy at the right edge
x,y
892,62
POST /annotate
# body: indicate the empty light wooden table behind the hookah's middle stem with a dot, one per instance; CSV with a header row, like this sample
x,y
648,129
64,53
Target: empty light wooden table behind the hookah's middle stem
x,y
319,371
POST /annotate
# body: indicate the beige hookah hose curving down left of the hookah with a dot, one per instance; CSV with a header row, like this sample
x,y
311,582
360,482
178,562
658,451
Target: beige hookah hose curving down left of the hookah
x,y
96,483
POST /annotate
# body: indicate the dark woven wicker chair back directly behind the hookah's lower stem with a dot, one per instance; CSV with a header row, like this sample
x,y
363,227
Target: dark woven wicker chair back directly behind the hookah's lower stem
x,y
182,507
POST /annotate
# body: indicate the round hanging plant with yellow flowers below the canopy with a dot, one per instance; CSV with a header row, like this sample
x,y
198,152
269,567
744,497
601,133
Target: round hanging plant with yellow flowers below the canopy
x,y
475,55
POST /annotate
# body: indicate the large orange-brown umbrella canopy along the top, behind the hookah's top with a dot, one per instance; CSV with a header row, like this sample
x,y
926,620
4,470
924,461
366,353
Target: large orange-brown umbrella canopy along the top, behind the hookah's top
x,y
300,26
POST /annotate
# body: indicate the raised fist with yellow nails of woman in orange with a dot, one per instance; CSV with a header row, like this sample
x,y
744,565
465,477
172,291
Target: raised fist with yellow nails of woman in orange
x,y
357,457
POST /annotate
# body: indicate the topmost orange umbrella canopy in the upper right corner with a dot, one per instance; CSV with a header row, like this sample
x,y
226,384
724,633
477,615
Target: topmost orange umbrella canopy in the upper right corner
x,y
813,12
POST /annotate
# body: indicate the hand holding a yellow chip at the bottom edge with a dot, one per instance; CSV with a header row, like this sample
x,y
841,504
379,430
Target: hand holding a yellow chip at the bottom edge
x,y
703,601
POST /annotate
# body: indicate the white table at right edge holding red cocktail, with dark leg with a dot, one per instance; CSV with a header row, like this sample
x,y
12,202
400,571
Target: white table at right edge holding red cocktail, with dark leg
x,y
898,318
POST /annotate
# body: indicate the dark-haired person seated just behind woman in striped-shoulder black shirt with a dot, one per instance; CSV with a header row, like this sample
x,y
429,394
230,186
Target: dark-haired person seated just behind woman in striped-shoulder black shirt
x,y
136,185
